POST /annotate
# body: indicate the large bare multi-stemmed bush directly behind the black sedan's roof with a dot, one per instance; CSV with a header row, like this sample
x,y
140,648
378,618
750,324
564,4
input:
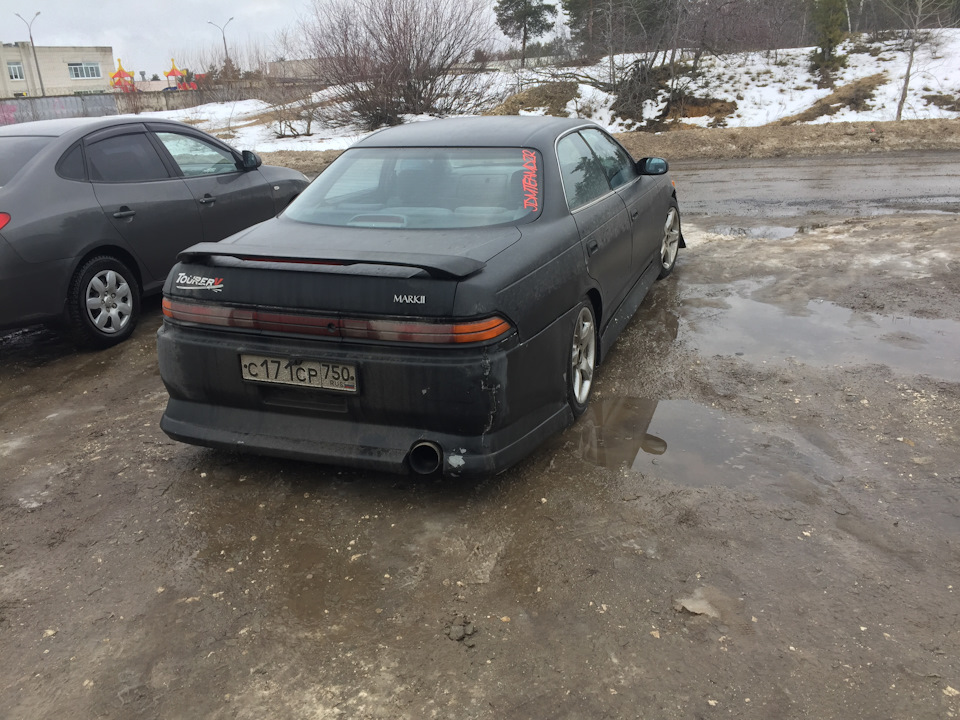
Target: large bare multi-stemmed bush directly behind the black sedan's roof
x,y
382,59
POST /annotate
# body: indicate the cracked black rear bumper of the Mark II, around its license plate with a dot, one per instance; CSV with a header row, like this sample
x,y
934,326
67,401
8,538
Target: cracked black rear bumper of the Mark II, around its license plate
x,y
485,407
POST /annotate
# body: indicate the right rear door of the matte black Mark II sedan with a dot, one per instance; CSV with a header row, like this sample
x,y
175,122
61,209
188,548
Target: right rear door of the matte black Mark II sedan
x,y
601,218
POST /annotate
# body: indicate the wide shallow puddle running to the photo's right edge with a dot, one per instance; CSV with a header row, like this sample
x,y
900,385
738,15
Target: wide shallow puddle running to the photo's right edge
x,y
825,334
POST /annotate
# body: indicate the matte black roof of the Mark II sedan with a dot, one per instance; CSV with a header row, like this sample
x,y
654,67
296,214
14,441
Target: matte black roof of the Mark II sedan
x,y
497,131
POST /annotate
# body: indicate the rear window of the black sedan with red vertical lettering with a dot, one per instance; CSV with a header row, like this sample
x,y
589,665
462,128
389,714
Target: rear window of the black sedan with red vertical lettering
x,y
422,188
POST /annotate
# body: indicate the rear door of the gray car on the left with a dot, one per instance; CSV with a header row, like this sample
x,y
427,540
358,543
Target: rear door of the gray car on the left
x,y
153,212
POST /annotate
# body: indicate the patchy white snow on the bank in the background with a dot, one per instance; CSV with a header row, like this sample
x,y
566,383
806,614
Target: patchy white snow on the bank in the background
x,y
765,86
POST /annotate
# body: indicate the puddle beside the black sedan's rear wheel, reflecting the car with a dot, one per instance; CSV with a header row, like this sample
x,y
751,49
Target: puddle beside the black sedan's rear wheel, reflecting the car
x,y
699,446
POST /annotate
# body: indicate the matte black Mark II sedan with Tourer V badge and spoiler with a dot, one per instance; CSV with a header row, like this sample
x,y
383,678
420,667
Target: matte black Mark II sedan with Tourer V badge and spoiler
x,y
436,301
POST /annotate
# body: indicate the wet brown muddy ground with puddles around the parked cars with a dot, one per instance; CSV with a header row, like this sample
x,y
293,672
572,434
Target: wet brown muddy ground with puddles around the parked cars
x,y
758,517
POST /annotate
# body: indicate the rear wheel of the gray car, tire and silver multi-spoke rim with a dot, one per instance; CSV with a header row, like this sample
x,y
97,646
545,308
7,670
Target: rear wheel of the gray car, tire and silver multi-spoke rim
x,y
103,303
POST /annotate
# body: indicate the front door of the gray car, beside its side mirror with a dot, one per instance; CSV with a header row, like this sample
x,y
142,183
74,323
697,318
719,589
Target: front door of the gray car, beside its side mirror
x,y
229,198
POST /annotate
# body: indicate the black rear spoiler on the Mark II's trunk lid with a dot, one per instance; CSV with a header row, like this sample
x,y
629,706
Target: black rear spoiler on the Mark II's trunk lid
x,y
447,267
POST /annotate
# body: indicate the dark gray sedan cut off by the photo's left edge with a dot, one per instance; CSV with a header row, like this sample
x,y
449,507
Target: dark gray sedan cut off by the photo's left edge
x,y
94,211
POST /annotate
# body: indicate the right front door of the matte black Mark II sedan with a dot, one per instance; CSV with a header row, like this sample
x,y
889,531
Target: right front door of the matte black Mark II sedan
x,y
638,193
